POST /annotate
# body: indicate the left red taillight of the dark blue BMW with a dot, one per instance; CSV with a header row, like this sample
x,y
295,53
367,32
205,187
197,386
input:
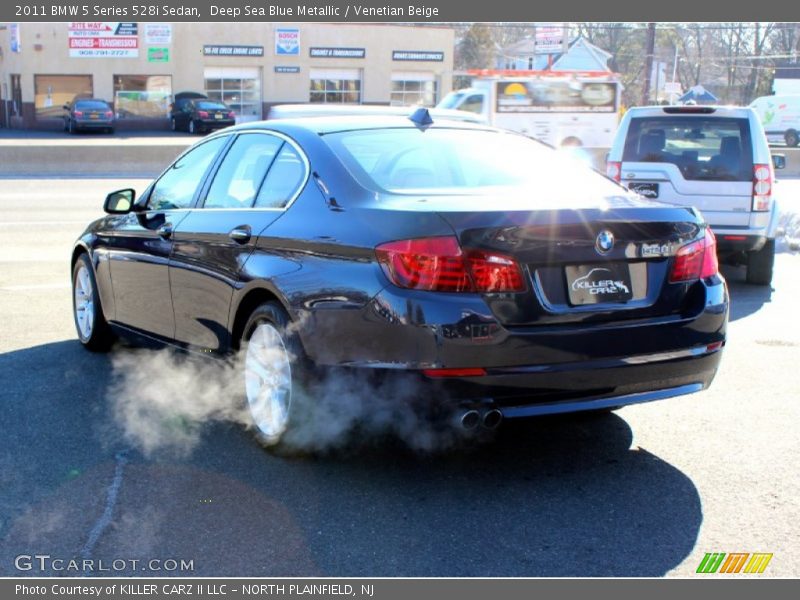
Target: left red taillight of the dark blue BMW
x,y
439,264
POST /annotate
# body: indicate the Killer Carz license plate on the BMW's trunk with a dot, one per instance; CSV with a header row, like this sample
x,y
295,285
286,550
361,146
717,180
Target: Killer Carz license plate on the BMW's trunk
x,y
607,283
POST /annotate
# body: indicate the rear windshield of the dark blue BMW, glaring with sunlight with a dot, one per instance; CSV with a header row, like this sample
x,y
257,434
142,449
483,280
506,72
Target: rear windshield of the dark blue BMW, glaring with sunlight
x,y
463,161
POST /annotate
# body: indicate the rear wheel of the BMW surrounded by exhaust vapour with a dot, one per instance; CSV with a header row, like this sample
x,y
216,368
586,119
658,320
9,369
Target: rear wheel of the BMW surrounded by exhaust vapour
x,y
274,372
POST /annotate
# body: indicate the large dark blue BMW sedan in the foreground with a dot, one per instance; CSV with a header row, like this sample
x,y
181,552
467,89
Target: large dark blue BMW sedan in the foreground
x,y
478,262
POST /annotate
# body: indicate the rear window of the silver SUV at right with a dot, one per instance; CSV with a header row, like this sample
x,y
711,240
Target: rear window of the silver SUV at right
x,y
712,149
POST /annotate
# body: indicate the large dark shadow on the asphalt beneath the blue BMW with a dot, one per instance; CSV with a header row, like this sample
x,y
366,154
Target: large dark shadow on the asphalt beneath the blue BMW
x,y
557,496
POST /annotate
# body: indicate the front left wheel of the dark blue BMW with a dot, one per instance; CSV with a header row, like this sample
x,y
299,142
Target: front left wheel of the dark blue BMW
x,y
92,328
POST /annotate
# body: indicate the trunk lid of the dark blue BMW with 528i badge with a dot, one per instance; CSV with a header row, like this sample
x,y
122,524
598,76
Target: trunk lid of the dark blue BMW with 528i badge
x,y
601,263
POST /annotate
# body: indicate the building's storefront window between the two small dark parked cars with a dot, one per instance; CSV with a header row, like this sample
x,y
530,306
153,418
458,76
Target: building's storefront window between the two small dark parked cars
x,y
143,96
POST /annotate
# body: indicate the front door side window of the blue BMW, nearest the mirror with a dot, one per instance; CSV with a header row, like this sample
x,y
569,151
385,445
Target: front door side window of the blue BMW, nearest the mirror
x,y
177,186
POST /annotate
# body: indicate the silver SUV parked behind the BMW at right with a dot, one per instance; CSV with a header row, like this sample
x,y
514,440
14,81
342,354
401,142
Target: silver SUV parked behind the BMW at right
x,y
713,158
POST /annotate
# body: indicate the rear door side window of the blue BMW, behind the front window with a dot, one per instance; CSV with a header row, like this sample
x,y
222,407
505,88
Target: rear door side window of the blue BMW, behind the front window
x,y
242,171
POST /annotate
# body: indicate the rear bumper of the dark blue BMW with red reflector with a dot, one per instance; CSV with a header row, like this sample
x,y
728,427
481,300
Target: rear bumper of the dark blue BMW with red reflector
x,y
522,371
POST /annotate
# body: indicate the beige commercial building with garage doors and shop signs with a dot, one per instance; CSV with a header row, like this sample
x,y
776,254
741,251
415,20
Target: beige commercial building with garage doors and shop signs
x,y
139,67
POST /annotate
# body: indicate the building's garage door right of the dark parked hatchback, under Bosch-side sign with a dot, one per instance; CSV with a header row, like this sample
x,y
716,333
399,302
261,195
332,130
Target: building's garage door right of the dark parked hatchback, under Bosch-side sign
x,y
239,88
